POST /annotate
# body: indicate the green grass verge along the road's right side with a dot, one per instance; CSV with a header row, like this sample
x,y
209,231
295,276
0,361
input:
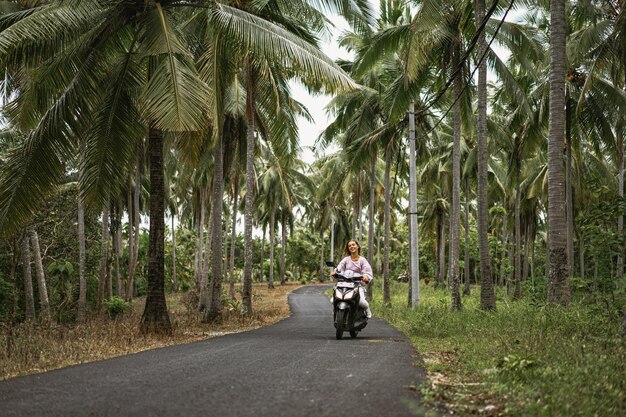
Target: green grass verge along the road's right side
x,y
525,359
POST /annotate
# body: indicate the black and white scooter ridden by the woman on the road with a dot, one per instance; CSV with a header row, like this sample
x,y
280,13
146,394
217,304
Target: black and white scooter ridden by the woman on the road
x,y
348,315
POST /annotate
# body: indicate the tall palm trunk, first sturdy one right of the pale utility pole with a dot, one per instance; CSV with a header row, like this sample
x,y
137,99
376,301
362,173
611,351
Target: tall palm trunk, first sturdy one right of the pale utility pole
x,y
455,226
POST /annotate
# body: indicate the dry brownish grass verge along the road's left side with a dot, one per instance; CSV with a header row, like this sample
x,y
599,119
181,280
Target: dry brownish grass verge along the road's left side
x,y
31,348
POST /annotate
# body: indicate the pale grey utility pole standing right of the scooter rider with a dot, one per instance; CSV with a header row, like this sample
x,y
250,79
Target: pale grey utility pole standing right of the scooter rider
x,y
414,255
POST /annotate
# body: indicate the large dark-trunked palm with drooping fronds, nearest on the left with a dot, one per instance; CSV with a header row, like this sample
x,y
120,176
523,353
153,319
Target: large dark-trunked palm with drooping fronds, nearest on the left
x,y
106,69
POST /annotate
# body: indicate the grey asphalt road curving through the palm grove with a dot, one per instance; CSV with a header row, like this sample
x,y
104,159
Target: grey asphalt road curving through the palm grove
x,y
293,368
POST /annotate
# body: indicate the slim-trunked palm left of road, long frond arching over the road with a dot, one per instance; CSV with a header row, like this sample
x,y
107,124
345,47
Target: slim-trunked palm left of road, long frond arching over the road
x,y
272,37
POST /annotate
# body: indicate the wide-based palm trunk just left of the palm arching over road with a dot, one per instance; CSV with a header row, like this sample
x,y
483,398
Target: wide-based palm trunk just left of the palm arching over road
x,y
213,314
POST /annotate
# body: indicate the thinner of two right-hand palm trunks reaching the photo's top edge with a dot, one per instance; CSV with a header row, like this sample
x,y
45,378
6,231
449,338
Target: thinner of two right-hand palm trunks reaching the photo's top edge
x,y
487,293
